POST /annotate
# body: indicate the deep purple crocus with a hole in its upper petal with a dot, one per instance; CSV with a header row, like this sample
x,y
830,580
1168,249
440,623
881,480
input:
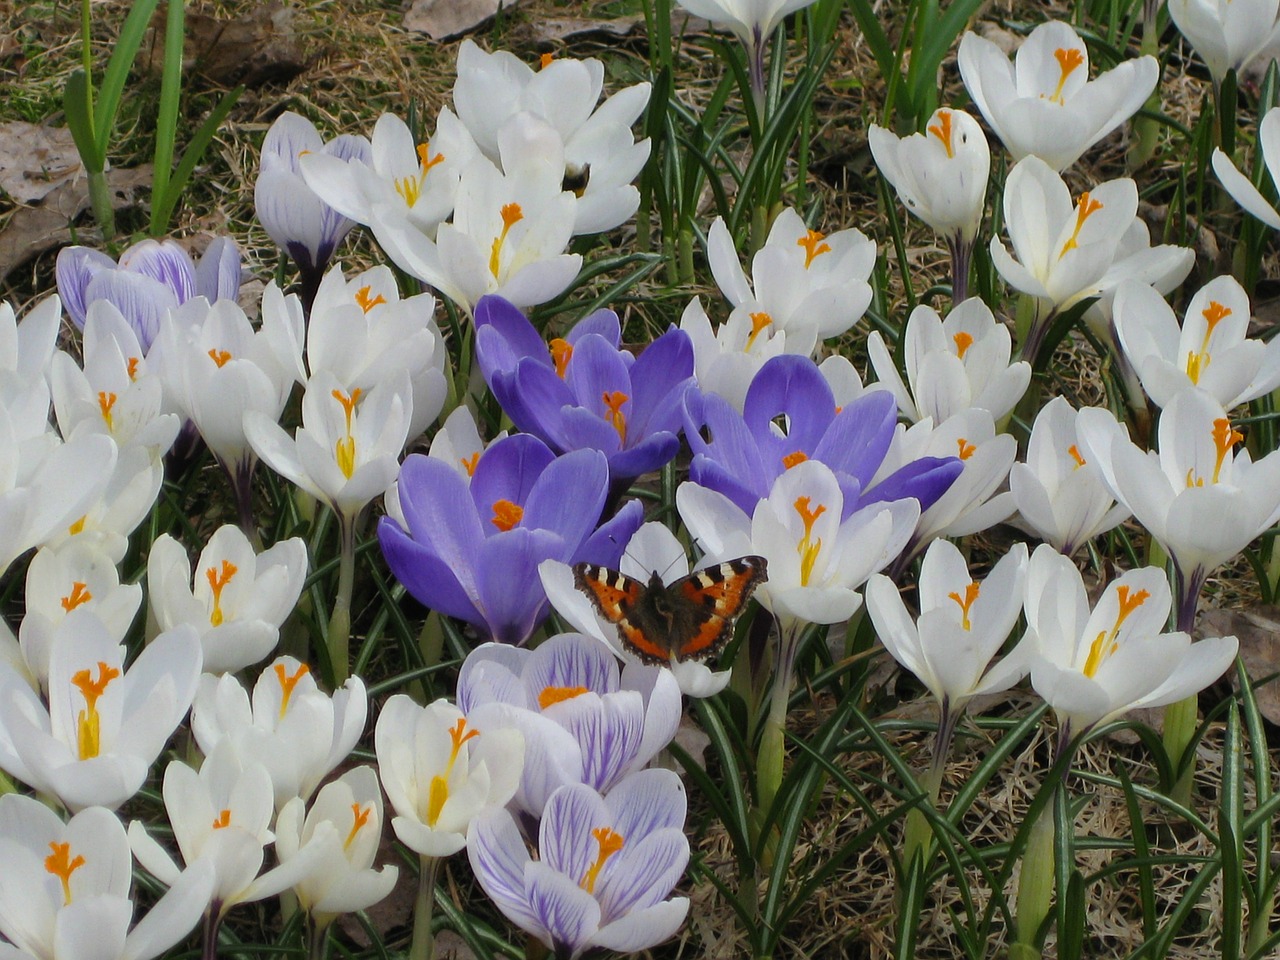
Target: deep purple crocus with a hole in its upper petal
x,y
790,417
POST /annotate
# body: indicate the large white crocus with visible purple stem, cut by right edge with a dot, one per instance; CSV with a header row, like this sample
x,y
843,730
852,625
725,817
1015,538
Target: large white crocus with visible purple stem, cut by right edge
x,y
1199,500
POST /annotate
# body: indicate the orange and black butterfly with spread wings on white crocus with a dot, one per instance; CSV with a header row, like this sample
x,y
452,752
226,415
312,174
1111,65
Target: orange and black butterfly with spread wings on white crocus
x,y
691,619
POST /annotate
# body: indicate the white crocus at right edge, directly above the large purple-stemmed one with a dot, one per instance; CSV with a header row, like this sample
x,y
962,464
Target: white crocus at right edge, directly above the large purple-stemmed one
x,y
1212,351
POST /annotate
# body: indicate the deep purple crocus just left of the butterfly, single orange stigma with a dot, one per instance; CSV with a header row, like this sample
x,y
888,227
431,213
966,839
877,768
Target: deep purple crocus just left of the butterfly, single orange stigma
x,y
472,550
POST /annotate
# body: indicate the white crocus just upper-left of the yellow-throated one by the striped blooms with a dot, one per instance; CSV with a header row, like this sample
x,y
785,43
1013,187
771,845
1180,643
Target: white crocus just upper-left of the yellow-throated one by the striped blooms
x,y
295,729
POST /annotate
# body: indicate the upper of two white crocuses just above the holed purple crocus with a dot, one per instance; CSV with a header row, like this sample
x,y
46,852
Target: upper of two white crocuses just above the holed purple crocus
x,y
810,285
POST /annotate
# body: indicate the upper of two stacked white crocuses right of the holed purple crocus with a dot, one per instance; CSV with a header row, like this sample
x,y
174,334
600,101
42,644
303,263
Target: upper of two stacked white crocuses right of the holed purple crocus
x,y
953,365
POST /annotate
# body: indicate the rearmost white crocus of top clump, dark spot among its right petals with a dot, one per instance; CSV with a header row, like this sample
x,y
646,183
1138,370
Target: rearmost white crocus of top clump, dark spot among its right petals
x,y
601,156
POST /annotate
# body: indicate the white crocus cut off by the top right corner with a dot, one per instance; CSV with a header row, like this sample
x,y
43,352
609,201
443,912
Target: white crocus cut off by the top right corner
x,y
1227,35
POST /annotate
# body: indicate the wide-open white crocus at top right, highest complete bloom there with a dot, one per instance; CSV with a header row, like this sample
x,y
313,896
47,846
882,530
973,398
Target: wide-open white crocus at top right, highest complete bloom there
x,y
1044,104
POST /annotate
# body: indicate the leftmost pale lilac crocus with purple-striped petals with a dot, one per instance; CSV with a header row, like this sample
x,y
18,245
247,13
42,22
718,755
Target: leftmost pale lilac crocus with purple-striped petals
x,y
152,278
